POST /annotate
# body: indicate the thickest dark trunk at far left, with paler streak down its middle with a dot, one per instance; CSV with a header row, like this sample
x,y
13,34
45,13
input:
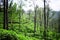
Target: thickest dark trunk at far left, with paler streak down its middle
x,y
5,14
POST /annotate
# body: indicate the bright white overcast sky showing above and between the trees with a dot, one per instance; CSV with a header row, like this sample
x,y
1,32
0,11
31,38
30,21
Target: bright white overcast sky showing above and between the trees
x,y
29,5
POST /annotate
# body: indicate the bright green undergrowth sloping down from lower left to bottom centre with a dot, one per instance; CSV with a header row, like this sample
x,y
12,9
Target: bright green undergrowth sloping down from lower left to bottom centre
x,y
11,35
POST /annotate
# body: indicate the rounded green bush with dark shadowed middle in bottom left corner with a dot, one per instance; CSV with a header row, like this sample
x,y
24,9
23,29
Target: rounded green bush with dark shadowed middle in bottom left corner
x,y
8,35
